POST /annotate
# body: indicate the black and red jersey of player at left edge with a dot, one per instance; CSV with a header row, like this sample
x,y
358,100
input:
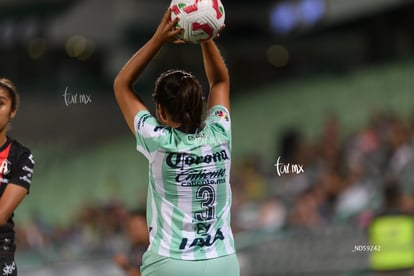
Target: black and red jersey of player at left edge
x,y
16,167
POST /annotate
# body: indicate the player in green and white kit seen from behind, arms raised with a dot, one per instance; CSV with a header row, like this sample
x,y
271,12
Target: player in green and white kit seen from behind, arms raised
x,y
189,196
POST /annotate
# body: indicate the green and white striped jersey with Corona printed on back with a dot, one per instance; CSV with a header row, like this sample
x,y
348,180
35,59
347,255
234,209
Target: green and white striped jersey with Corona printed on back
x,y
189,195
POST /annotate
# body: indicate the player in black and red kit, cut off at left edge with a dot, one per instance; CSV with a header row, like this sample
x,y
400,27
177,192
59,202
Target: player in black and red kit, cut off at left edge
x,y
16,170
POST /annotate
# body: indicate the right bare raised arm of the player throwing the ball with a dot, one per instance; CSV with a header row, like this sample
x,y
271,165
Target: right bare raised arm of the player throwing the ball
x,y
217,75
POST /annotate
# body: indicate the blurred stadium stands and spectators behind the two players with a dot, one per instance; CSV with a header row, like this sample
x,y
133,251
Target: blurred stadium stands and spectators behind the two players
x,y
321,85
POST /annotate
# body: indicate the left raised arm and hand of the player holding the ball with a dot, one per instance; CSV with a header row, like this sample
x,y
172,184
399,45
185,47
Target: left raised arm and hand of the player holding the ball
x,y
128,102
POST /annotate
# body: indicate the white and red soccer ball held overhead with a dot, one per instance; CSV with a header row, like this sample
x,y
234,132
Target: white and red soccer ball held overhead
x,y
200,20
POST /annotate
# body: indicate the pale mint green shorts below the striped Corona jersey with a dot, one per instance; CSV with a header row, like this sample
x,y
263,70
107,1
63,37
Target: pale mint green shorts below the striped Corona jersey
x,y
156,265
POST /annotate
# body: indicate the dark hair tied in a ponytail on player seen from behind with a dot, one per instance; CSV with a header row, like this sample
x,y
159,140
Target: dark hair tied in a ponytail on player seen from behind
x,y
181,95
